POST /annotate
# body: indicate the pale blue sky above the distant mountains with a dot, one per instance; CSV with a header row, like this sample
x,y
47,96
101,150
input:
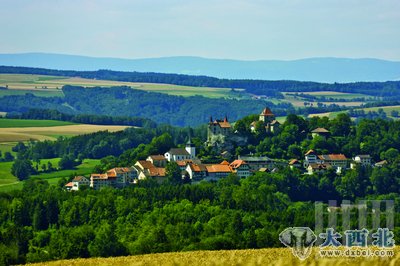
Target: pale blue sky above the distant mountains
x,y
250,30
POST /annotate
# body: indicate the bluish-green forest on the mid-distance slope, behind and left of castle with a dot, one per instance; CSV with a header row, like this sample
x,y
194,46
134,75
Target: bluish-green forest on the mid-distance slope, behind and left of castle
x,y
125,101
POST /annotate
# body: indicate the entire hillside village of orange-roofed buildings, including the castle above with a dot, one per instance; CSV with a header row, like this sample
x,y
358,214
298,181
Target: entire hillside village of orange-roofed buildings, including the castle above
x,y
220,133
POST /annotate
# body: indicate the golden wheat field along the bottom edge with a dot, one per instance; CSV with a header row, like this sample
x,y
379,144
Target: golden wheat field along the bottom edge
x,y
272,256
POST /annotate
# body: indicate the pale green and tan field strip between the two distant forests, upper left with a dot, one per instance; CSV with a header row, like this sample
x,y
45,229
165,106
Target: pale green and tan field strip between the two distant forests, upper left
x,y
41,85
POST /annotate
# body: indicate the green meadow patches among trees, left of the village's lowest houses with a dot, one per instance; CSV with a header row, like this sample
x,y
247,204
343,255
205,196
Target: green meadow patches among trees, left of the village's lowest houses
x,y
9,182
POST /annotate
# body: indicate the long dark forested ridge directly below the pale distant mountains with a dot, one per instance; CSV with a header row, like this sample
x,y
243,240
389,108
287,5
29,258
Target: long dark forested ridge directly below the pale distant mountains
x,y
388,90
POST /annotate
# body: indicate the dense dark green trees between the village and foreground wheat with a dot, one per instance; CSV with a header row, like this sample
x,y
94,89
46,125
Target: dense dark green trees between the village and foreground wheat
x,y
44,222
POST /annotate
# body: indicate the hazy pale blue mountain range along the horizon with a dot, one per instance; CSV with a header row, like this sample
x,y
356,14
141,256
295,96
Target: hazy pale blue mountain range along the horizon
x,y
312,69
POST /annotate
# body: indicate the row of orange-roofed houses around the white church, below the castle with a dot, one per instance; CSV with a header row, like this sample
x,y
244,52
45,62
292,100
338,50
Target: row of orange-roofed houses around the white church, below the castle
x,y
191,168
